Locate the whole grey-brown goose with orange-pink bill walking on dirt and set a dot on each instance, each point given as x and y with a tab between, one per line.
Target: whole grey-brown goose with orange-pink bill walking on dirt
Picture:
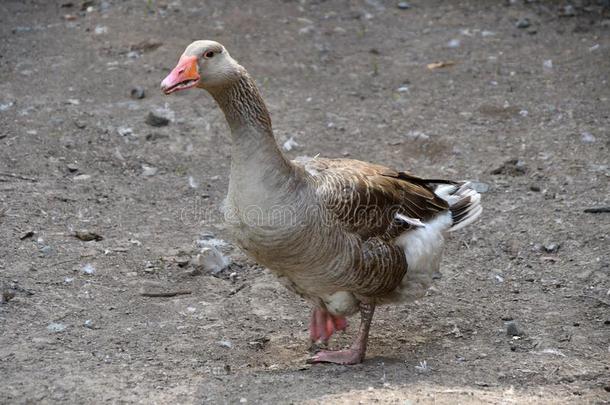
345	235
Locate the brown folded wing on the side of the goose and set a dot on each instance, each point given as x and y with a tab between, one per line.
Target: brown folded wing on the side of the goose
364	198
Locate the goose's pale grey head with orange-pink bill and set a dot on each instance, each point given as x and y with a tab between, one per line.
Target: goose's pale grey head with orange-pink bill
203	64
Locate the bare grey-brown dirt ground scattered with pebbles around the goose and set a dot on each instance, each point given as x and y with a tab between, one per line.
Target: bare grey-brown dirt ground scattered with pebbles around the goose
524	110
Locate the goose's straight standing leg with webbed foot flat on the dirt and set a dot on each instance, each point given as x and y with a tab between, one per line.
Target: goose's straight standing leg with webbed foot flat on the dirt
355	354
